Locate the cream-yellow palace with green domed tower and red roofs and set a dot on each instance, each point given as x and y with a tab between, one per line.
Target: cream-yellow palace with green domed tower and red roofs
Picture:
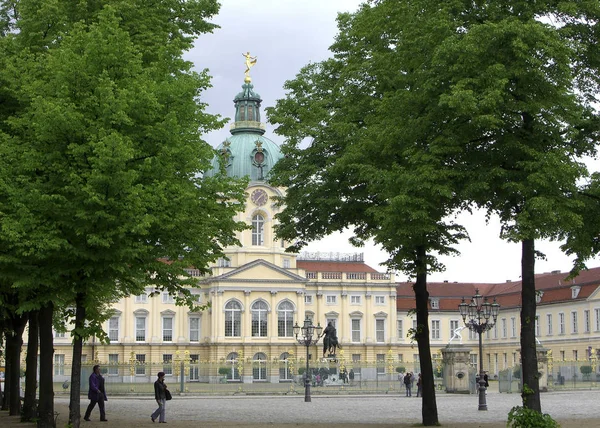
258	292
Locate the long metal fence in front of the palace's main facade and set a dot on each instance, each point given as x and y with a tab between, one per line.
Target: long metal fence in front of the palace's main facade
250	378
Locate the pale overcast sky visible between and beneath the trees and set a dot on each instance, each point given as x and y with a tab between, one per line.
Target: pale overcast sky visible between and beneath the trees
288	34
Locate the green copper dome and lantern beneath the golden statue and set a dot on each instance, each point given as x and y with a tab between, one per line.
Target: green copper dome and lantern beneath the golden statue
247	153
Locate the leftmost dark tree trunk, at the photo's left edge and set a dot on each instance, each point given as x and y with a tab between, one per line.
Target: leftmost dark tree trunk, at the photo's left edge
14	342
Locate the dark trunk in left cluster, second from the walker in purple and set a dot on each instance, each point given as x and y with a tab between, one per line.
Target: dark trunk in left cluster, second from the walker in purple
46	405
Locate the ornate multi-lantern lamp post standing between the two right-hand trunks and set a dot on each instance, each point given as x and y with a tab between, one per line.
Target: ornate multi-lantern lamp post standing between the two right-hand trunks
482	316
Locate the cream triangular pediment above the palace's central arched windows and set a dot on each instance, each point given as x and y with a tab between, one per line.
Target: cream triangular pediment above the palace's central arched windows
259	271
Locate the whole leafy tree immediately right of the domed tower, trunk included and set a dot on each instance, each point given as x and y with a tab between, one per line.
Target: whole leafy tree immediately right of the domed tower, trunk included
377	158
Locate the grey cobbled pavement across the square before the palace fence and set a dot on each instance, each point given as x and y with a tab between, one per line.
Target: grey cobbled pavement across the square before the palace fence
369	409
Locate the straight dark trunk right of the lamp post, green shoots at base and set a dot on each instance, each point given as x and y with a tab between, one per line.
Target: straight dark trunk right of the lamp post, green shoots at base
531	385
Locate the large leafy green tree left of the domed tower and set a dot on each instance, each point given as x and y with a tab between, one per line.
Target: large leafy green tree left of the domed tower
105	161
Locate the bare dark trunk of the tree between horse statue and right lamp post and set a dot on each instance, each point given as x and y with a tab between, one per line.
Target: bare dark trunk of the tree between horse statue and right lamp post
429	405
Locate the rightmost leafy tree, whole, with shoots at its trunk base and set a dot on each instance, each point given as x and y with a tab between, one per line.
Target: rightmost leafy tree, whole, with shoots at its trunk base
521	77
